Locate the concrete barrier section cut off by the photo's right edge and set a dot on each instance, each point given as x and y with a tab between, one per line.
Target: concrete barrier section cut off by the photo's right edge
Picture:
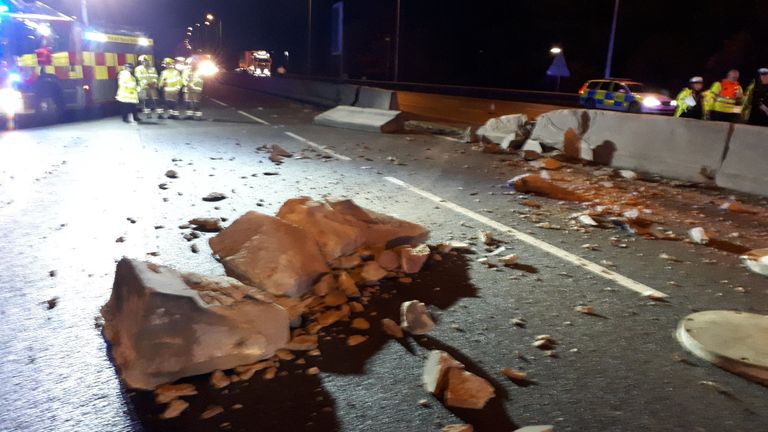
745	167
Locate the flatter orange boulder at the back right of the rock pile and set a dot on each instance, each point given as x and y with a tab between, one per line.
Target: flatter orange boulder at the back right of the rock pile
341	226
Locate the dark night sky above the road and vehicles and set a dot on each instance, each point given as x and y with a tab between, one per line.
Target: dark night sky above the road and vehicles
484	43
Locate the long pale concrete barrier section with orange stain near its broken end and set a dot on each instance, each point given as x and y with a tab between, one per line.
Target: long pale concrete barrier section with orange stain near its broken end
684	149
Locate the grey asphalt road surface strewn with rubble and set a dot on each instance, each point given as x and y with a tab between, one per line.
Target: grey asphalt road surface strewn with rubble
69	192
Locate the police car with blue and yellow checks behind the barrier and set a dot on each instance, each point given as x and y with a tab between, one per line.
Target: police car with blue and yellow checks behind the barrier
625	96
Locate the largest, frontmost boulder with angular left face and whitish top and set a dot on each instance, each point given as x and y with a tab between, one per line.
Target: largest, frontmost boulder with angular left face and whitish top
163	325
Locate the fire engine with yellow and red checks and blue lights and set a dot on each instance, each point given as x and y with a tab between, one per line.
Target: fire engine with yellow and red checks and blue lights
50	63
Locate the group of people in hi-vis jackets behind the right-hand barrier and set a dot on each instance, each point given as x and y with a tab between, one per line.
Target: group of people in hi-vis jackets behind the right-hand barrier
726	100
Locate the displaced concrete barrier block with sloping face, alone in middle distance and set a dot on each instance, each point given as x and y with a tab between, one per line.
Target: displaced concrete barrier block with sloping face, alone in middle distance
365	119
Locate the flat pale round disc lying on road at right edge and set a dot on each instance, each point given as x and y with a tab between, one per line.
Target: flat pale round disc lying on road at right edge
734	341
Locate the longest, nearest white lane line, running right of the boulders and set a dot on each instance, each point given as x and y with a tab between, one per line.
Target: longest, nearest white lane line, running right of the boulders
533	241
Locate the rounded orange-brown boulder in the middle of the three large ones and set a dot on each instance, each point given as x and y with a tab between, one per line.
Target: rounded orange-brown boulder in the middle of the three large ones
270	254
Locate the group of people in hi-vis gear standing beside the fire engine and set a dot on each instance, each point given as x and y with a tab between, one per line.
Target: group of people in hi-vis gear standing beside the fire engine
177	88
